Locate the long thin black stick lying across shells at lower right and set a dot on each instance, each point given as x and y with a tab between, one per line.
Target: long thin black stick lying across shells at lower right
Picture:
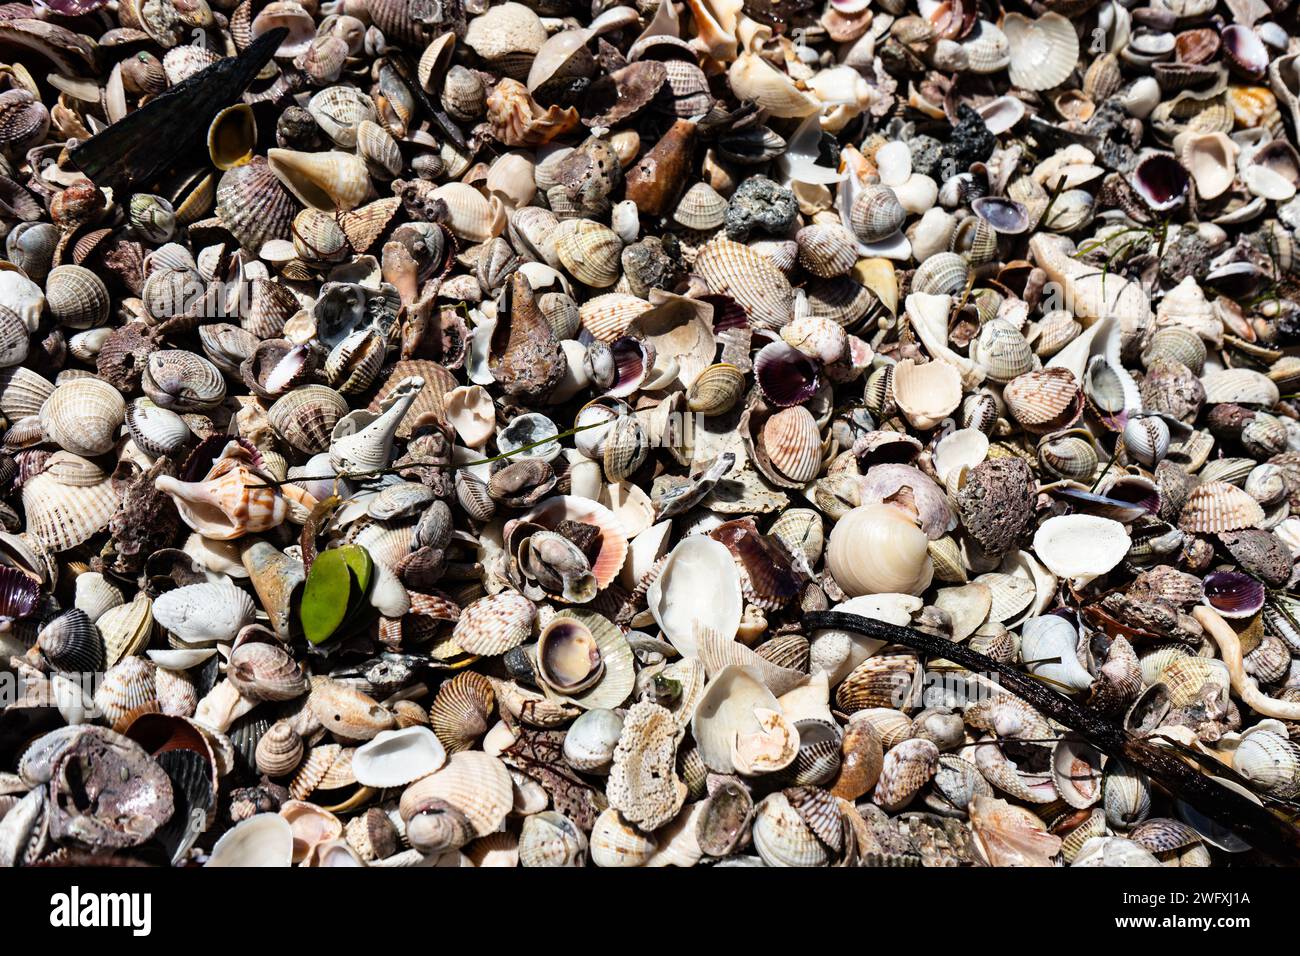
1264	830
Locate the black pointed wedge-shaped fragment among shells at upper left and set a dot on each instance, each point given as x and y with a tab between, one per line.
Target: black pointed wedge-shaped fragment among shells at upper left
137	150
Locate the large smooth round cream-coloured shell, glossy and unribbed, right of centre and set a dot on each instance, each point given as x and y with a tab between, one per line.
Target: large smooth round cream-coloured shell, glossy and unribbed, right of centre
876	550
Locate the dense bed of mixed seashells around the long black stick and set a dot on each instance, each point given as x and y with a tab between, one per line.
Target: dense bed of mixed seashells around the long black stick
427	426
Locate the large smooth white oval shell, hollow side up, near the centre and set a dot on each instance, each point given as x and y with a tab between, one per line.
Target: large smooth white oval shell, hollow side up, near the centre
699	587
